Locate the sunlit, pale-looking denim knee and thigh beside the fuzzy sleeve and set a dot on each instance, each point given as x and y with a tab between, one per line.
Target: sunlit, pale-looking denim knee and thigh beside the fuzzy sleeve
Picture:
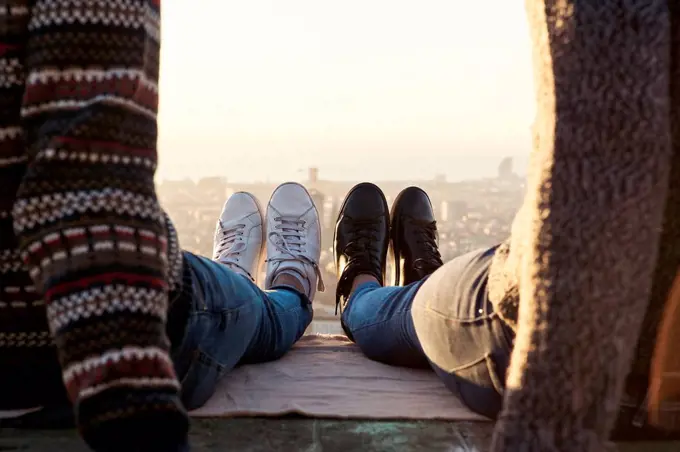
467	343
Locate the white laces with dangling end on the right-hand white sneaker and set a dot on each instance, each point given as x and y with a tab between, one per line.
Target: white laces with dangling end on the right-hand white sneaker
289	242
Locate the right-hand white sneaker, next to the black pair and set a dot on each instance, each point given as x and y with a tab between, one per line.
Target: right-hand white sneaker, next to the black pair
294	238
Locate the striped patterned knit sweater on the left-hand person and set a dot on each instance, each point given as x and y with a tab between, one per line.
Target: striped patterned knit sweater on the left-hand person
83	242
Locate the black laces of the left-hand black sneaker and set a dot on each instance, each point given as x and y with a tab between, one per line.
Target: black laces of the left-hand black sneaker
362	248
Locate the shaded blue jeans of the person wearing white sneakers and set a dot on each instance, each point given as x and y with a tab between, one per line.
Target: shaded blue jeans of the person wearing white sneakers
231	321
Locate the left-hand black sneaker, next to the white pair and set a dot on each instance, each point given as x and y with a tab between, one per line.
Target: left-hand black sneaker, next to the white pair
361	239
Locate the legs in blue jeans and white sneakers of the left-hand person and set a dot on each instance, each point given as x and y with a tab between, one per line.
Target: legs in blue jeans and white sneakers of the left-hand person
220	317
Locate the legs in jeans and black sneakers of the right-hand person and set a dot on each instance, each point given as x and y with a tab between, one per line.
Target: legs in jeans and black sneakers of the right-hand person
441	317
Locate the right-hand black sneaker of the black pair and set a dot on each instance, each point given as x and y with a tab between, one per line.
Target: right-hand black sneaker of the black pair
414	237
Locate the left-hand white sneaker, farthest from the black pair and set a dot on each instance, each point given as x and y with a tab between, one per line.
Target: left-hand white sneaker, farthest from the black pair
239	235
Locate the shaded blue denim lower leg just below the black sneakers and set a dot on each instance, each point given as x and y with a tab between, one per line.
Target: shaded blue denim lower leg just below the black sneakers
379	321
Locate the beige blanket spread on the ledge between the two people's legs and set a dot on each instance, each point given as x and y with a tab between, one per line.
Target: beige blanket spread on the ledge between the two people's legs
327	376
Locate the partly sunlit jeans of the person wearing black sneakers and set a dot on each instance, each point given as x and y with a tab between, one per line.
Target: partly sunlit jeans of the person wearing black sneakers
445	321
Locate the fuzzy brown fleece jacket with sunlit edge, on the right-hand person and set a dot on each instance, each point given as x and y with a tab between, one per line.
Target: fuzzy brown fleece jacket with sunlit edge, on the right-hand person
583	261
